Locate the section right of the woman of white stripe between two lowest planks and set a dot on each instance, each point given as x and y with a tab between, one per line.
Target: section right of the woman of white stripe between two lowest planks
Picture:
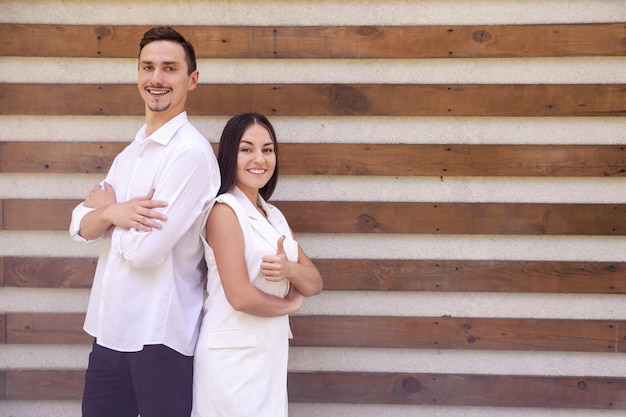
484	362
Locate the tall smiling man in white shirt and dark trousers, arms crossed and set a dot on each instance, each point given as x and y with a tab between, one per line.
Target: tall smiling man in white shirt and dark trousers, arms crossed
146	300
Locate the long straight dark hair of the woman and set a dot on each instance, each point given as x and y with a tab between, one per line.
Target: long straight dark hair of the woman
228	151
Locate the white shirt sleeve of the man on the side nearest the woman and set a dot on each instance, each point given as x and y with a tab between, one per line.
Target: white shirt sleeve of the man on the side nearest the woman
187	182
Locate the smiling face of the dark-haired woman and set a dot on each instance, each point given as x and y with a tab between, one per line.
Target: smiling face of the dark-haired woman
256	159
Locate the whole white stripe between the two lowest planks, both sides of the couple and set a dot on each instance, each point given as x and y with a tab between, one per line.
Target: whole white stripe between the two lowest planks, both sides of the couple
303	359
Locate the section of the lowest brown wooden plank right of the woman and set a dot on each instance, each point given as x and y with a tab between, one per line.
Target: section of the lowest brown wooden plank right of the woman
458	390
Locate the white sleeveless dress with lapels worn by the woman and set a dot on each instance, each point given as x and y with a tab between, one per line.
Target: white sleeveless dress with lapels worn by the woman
240	367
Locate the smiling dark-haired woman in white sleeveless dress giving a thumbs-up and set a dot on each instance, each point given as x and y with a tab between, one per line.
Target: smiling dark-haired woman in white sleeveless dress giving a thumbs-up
257	275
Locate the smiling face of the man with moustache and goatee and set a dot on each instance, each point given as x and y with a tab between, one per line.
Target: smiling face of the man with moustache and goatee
163	79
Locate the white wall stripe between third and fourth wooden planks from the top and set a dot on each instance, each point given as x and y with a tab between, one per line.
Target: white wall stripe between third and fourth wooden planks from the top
377	189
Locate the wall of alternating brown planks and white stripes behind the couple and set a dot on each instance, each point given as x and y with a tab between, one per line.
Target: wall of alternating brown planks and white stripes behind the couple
455	169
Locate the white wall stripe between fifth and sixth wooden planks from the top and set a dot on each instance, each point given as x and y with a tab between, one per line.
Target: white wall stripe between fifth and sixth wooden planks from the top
376	303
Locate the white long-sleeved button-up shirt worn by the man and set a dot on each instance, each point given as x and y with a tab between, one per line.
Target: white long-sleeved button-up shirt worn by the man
147	287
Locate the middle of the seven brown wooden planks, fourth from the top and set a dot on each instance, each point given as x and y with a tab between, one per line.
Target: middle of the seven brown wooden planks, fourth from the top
387	217
